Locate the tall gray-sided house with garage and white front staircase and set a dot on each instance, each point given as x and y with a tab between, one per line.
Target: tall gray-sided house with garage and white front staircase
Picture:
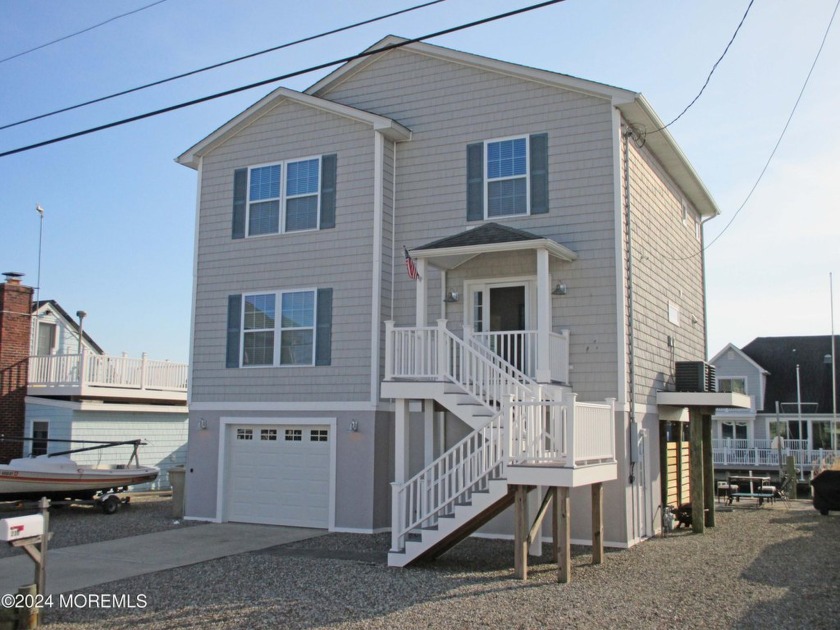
430	282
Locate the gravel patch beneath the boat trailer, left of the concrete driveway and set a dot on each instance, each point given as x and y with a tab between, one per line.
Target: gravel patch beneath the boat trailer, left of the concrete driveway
81	524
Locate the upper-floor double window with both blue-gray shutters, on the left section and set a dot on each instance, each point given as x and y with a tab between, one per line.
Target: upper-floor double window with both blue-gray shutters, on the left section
289	196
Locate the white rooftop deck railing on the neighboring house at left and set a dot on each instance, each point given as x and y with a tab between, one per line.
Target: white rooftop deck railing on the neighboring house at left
103	371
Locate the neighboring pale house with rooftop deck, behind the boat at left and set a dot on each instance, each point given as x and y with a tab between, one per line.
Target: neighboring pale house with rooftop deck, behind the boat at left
94	396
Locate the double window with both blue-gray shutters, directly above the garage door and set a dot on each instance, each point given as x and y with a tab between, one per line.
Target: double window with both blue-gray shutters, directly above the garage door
280	328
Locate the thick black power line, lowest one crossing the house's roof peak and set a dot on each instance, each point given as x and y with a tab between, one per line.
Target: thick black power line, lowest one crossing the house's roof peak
250	86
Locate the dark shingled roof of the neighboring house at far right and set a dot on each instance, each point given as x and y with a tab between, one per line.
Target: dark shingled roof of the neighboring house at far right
777	355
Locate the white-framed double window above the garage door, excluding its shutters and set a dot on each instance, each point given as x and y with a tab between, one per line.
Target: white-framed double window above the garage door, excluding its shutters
287	340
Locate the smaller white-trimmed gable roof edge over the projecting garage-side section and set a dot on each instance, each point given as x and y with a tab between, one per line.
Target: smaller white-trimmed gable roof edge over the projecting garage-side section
389	128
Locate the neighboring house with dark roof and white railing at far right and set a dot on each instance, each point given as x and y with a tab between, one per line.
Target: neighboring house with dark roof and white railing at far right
789	381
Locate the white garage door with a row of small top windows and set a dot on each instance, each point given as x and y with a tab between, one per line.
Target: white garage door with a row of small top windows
279	475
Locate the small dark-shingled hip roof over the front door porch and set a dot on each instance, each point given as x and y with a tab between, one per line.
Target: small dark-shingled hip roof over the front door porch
453	251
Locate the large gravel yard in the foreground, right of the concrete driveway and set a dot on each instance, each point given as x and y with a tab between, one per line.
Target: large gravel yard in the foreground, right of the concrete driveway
770	567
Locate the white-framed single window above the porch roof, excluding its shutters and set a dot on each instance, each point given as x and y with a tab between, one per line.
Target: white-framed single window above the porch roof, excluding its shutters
507	177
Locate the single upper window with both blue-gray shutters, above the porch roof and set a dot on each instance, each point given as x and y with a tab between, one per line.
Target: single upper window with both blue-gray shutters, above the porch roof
507	177
